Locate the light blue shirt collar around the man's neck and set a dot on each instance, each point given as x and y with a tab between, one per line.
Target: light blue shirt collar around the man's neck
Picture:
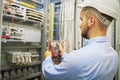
96	40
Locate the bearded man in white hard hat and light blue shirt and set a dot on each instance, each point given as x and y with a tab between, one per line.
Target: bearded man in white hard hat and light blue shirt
97	60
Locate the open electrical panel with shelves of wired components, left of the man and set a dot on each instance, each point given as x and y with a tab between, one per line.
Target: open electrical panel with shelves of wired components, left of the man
21	40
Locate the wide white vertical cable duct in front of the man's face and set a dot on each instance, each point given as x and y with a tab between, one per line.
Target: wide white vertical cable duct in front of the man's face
67	24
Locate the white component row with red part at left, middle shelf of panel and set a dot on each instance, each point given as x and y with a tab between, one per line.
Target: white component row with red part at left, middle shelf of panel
20	34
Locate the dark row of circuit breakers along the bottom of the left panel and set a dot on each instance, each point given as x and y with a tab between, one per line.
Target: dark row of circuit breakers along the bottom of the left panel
18	73
